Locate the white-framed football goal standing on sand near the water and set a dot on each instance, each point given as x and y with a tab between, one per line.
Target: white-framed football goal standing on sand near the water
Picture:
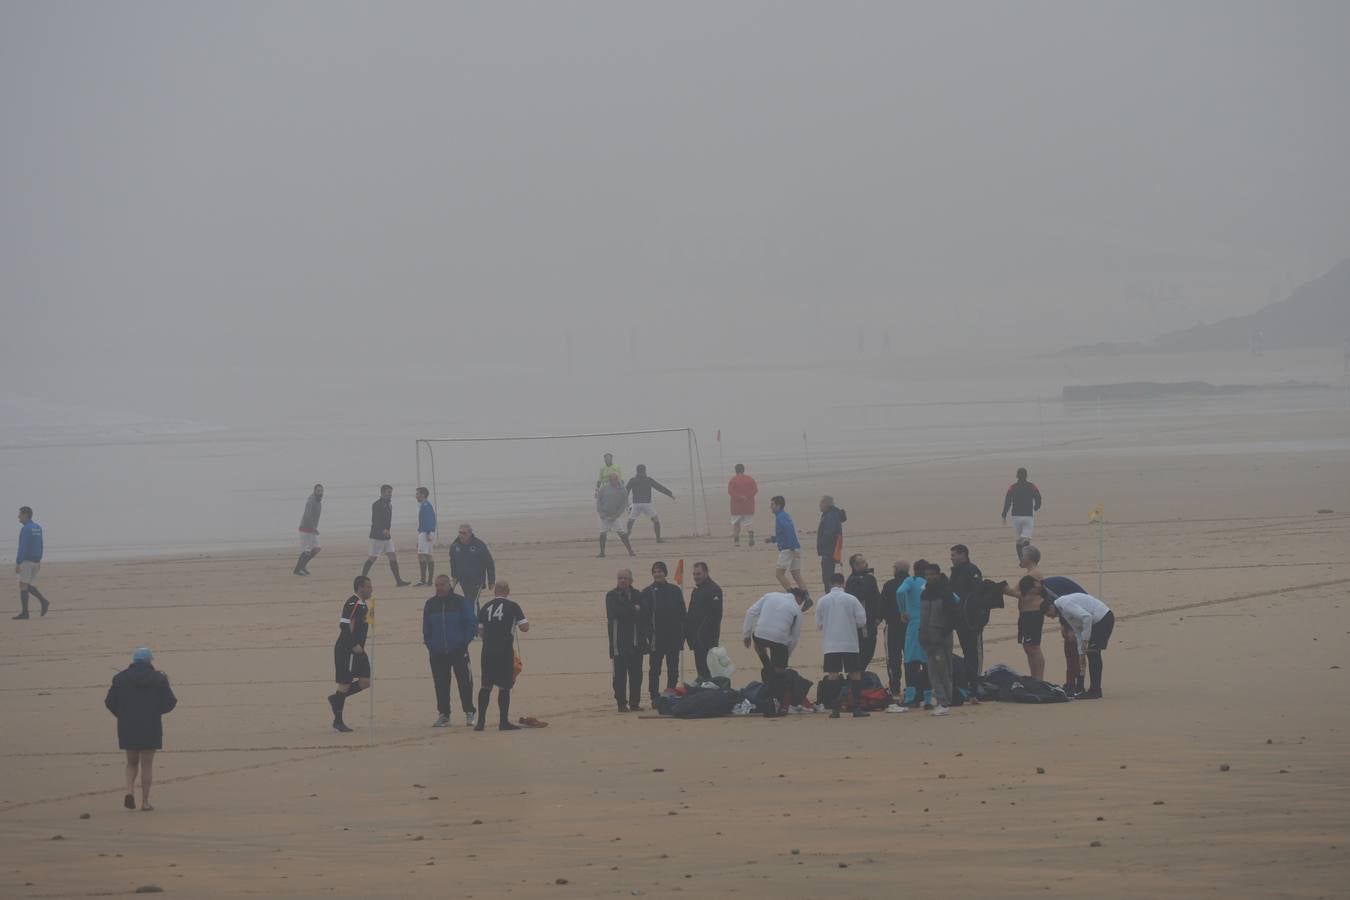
545	484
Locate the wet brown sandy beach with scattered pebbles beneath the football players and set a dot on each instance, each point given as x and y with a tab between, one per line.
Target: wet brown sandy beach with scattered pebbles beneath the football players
1232	650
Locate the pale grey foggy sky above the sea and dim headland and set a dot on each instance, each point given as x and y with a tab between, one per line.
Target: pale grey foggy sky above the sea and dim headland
241	184
